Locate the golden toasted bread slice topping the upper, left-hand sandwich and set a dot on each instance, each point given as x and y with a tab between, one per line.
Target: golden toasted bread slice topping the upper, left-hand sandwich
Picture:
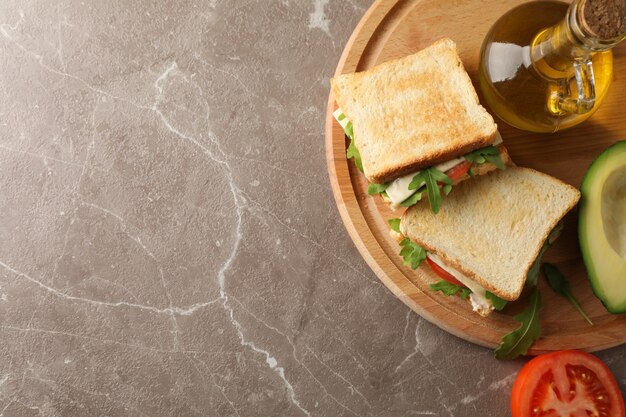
413	112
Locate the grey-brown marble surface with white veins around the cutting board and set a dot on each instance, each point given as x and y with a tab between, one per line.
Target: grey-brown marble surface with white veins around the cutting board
169	242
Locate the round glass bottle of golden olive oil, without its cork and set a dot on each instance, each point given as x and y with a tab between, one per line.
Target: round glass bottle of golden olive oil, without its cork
540	68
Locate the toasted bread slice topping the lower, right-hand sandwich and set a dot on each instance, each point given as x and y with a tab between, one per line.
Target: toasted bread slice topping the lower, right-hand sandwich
493	228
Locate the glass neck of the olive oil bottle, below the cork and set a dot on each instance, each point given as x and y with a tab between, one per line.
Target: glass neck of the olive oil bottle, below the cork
555	49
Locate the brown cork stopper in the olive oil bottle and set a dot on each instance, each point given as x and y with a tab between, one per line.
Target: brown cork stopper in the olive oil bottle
604	19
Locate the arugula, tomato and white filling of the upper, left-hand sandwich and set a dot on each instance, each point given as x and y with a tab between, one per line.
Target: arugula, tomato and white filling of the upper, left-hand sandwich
408	189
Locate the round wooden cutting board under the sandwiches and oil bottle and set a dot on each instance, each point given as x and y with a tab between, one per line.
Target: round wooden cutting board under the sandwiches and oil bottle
396	28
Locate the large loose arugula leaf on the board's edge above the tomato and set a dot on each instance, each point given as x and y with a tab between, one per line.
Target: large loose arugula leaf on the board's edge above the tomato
520	340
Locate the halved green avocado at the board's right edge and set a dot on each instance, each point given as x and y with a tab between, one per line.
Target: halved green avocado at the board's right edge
602	226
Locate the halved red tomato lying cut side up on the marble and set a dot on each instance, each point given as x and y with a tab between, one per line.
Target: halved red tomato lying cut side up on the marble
568	383
